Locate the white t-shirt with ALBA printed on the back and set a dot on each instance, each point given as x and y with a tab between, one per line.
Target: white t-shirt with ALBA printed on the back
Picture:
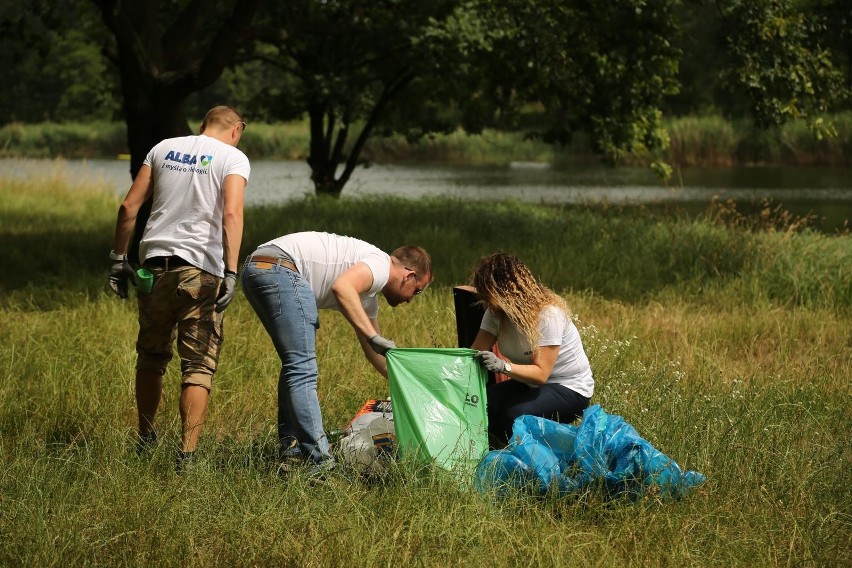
186	214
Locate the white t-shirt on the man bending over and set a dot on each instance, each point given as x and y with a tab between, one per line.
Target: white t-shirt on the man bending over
322	257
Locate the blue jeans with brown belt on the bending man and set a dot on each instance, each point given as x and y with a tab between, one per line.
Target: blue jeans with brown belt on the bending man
285	304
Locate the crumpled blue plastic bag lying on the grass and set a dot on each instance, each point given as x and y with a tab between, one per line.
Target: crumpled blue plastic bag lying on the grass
604	448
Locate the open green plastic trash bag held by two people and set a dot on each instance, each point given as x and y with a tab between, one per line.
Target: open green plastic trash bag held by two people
438	398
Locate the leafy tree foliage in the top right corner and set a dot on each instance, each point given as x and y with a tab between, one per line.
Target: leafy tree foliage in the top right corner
766	60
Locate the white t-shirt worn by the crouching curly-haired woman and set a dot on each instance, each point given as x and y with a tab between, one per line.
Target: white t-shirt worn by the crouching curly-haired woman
571	368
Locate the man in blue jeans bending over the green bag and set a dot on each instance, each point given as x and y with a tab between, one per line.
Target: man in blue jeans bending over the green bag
287	280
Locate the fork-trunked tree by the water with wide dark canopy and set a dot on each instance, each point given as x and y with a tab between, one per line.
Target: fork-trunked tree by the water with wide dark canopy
423	67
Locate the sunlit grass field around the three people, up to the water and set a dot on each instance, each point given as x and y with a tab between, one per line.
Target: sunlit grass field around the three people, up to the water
727	345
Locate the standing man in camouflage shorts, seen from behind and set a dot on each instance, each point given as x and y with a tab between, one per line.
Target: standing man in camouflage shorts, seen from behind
191	245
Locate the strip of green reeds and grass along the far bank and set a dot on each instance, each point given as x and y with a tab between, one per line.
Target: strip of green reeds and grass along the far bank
695	141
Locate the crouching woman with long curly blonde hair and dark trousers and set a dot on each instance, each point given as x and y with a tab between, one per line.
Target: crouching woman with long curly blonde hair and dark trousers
531	325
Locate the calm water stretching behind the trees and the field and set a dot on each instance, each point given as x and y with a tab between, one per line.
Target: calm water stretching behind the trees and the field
825	193
